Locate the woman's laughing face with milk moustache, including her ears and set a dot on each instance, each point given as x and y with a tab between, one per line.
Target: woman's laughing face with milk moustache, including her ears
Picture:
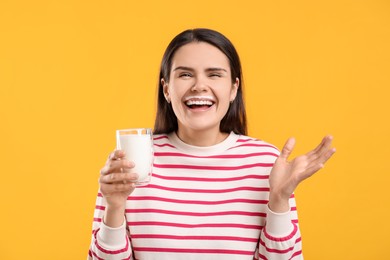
200	88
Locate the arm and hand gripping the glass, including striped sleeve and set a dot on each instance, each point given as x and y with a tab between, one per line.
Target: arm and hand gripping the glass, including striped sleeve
109	237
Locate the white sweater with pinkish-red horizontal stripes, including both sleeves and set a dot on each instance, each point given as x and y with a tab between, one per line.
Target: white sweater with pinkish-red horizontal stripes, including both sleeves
202	203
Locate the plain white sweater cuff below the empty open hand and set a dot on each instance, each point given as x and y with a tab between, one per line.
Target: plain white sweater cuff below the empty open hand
279	224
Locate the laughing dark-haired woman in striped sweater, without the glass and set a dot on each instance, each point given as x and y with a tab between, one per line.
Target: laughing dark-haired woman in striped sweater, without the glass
215	192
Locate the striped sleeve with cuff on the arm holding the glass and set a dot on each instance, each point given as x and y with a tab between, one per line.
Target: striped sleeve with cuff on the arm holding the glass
106	242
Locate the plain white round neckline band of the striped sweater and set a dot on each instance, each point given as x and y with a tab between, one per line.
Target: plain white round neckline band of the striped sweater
203	150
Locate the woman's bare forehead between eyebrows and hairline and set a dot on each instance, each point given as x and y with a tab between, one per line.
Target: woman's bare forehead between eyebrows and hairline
200	54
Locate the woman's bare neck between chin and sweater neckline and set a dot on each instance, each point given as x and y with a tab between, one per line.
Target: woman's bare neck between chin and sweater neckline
201	137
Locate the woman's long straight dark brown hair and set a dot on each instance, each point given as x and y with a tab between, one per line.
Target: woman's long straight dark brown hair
235	118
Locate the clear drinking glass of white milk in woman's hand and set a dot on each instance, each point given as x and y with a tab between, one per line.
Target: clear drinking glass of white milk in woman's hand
137	143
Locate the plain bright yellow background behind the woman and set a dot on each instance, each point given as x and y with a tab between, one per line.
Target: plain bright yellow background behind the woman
72	72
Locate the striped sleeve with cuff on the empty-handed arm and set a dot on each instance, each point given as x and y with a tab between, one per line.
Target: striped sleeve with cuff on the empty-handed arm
281	238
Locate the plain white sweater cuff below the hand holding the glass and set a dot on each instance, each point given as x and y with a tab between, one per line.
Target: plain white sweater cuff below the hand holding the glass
112	237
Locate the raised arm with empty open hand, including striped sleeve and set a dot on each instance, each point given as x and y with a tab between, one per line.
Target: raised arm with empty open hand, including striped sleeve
280	238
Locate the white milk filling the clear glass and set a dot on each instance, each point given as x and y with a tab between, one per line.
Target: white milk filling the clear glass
138	149
